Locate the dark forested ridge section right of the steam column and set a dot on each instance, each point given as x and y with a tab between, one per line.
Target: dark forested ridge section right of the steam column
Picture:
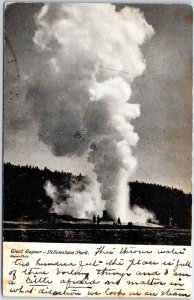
168	204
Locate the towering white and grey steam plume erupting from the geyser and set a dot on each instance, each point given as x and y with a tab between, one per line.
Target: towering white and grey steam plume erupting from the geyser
80	99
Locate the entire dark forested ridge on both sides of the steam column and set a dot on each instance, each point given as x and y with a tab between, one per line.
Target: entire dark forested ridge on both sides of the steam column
25	196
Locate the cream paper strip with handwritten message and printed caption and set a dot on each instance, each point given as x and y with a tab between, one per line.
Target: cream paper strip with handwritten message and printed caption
96	271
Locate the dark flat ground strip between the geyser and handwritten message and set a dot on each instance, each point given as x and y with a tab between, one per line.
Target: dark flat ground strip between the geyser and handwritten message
90	233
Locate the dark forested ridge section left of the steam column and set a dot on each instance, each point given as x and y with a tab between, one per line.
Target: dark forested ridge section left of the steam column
24	193
